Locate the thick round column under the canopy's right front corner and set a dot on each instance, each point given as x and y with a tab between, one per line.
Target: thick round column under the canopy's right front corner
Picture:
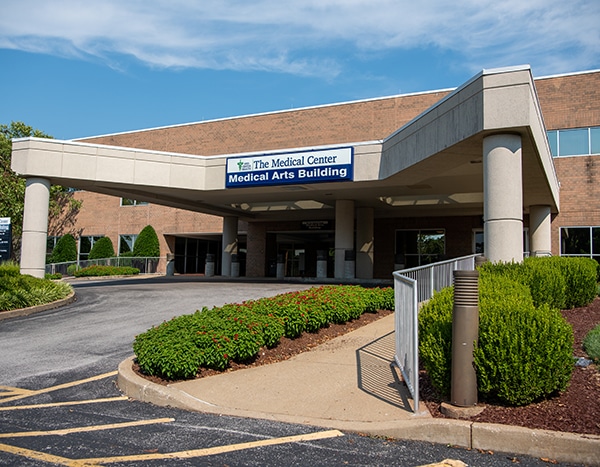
503	198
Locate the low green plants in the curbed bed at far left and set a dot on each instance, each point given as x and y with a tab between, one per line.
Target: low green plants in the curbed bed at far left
22	291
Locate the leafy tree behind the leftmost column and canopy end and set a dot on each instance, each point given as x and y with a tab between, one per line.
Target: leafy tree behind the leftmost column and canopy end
12	186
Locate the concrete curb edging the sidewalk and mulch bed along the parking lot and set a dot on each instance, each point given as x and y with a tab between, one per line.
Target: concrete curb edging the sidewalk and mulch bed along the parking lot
563	447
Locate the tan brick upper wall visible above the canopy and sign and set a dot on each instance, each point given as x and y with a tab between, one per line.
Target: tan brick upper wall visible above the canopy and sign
334	124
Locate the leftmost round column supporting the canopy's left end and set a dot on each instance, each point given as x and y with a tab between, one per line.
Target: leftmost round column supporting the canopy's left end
35	227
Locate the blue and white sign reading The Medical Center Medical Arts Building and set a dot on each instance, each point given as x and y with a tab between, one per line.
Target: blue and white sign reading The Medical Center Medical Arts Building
325	165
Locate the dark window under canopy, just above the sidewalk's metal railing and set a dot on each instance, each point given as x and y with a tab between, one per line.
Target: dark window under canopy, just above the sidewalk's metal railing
419	247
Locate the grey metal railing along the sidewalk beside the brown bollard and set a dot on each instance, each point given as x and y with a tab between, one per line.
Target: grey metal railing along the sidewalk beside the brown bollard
412	287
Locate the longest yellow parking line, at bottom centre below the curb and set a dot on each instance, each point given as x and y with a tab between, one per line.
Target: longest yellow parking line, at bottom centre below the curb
215	450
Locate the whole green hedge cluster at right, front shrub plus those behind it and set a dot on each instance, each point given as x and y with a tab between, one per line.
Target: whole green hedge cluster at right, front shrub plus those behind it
525	346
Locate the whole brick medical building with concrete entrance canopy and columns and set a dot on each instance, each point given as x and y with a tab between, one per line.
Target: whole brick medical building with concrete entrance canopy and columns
505	164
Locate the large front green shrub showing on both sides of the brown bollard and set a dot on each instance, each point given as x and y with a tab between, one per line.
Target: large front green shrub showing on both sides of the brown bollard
524	352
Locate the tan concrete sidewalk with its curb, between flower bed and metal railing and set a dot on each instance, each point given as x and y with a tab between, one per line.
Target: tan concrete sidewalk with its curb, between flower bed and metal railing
349	383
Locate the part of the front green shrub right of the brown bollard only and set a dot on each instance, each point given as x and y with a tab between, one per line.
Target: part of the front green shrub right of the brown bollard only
524	353
